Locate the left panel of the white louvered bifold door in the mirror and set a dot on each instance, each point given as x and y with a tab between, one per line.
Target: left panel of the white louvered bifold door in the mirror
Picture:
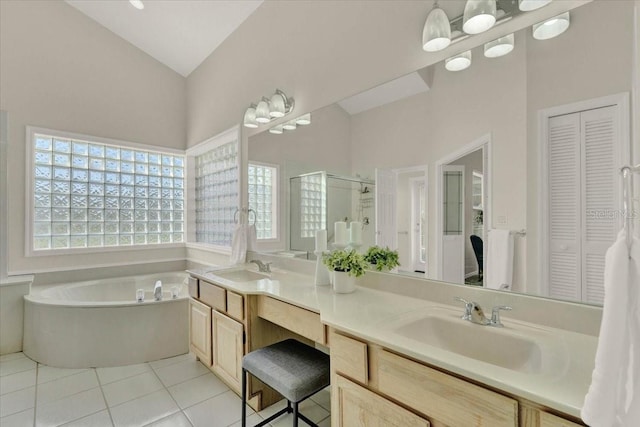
564	207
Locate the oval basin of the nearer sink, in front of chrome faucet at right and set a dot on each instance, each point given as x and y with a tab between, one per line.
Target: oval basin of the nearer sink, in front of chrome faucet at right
496	346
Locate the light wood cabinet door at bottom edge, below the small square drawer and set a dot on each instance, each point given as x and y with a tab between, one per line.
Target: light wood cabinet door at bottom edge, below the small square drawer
355	406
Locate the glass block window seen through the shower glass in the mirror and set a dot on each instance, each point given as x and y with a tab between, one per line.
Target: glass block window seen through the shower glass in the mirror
313	204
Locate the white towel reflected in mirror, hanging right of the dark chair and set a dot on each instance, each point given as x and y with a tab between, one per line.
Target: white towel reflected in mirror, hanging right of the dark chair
498	272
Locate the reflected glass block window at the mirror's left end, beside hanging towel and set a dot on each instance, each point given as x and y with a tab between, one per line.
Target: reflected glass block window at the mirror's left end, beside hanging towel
263	193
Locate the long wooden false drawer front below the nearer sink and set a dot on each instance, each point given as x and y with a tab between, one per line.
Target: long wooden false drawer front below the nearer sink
441	397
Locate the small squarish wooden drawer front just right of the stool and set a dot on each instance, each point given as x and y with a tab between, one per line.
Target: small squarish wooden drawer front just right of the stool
349	357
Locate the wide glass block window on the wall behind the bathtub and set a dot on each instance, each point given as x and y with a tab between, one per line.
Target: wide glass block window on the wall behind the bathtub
88	195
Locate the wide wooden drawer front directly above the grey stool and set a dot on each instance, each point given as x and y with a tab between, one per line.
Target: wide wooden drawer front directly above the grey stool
296	319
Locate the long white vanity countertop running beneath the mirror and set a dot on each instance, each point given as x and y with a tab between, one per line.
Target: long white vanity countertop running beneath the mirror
375	316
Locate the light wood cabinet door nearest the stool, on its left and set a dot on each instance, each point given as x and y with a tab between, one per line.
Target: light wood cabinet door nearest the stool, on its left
227	349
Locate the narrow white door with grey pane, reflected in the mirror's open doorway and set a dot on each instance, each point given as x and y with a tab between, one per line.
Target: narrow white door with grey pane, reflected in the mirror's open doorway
453	224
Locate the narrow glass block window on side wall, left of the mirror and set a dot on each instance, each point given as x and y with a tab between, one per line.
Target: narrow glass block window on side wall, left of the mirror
216	194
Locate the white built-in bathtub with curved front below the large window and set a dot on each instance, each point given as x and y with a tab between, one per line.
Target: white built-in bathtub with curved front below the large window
99	323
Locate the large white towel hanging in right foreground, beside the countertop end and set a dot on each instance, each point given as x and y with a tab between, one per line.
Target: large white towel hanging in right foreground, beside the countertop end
613	399
